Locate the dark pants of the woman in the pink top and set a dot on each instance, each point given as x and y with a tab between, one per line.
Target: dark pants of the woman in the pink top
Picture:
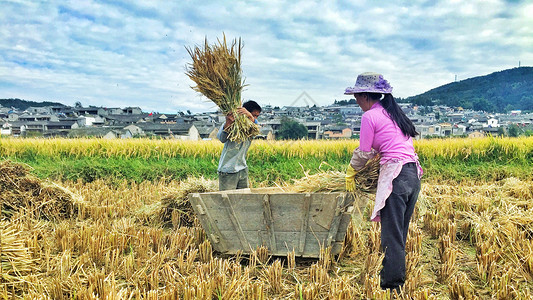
395	217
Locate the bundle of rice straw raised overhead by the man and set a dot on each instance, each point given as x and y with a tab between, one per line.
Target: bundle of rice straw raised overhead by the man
216	70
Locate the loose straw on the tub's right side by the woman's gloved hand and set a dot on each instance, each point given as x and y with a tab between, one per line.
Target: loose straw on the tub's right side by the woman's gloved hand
366	180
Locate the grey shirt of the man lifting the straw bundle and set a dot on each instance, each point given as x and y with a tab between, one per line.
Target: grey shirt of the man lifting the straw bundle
233	157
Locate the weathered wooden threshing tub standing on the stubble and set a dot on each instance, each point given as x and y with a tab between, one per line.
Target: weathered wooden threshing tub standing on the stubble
242	220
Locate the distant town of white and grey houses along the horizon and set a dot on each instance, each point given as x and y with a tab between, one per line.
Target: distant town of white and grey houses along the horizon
334	121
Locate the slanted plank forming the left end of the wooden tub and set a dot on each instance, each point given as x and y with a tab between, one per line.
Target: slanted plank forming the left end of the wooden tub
210	227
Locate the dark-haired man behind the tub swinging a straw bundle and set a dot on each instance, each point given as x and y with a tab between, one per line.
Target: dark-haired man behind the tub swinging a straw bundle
232	168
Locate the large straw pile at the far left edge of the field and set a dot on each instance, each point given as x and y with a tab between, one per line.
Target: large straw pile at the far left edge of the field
24	193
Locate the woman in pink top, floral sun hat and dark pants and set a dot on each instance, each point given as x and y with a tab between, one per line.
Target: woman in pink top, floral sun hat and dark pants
385	129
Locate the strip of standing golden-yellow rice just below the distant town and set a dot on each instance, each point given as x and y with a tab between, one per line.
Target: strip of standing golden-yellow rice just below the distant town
452	149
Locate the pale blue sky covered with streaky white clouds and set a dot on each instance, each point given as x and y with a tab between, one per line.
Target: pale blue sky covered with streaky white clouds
133	53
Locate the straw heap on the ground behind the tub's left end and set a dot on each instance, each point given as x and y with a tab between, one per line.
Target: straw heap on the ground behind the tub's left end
176	208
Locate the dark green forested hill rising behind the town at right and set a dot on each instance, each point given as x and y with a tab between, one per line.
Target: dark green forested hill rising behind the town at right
497	92
